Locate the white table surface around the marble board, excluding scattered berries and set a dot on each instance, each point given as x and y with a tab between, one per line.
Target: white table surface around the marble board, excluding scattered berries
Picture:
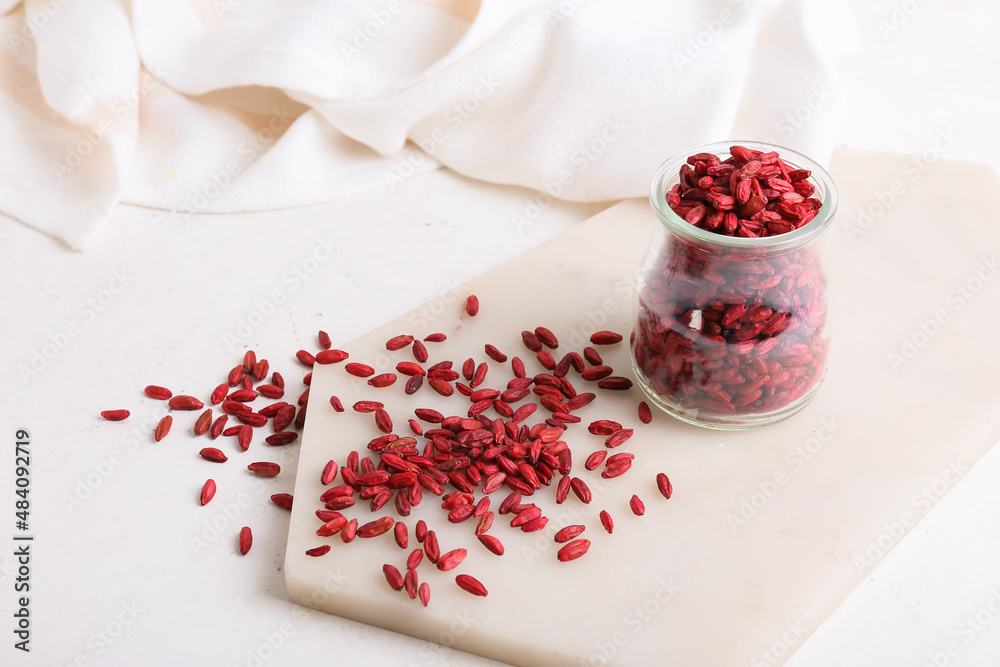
115	579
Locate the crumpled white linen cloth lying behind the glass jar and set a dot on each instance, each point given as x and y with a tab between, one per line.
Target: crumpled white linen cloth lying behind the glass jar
238	105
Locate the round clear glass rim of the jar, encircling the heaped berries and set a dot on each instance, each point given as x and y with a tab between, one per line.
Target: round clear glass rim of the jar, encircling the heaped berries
669	173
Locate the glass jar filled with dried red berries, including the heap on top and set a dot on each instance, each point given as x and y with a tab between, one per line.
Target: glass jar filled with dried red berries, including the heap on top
730	327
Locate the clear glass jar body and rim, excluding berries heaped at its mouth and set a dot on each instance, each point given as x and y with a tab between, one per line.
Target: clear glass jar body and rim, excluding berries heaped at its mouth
730	330
